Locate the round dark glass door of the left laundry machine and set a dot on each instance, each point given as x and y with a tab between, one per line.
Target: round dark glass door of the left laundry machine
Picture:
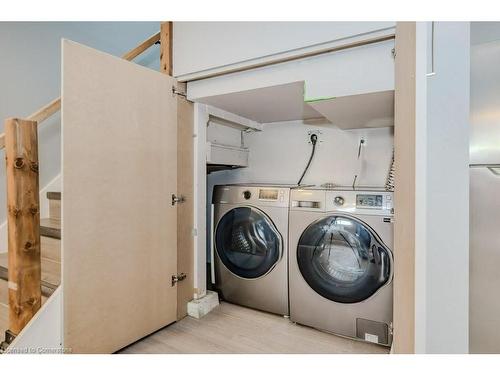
247	242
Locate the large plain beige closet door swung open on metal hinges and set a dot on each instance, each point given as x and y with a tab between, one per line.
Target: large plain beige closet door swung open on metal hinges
119	171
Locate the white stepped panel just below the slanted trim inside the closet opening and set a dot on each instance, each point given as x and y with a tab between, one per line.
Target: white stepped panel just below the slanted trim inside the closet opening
358	70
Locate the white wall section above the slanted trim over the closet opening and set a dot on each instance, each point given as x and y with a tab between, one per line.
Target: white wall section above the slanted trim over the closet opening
201	47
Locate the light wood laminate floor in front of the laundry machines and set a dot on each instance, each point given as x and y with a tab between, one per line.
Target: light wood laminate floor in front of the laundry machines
235	329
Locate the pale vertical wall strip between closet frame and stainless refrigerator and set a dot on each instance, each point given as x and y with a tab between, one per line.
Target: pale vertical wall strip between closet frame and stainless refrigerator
447	178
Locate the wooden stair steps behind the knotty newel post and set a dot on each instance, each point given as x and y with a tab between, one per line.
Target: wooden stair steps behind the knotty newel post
50	236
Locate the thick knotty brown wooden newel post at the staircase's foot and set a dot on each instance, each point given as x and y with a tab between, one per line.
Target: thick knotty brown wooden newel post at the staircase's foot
23	221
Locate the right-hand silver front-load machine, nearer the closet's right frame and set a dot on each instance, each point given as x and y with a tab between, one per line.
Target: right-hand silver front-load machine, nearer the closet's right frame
341	262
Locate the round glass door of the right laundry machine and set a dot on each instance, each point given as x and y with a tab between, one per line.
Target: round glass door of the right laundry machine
343	260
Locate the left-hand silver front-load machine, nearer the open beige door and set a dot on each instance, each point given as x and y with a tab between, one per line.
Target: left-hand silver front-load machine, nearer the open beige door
249	245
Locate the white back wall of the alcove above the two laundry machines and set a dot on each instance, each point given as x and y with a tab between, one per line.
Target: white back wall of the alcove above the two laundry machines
280	152
